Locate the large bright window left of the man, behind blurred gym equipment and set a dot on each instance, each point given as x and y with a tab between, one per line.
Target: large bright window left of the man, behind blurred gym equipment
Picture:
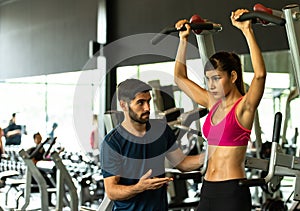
41	101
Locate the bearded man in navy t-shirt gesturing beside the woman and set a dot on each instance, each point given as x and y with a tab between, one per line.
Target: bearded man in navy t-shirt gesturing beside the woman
133	154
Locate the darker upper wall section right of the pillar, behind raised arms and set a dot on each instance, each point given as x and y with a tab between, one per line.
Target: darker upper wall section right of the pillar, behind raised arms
130	17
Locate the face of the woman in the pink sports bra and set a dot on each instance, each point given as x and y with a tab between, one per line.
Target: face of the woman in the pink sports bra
218	82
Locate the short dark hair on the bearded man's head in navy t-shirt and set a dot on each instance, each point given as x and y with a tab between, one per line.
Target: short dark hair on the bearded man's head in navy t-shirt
128	89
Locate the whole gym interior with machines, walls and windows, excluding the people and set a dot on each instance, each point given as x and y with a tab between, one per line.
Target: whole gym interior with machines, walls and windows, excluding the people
61	62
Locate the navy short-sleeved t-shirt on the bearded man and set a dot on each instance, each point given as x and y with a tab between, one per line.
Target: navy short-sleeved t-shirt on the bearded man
131	157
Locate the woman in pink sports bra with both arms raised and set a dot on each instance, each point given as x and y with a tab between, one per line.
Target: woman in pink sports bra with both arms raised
228	125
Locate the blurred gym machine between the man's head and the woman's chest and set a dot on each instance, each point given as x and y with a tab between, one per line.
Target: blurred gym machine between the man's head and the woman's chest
177	118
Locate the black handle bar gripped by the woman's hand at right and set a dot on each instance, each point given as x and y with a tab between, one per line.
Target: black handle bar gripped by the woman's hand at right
262	16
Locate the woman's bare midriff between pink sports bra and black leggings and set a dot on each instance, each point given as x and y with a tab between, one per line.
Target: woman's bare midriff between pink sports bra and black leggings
225	163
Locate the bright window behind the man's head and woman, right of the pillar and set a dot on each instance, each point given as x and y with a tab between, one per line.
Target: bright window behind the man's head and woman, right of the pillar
274	99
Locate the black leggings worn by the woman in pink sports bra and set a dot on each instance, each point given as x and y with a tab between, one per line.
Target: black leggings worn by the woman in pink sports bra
224	196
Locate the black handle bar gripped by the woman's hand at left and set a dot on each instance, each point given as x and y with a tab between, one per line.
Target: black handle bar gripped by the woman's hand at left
194	26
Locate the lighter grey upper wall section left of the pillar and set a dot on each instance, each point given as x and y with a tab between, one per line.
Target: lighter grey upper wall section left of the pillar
42	37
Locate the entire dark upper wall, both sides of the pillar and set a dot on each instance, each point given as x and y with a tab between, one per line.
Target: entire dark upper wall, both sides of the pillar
51	36
